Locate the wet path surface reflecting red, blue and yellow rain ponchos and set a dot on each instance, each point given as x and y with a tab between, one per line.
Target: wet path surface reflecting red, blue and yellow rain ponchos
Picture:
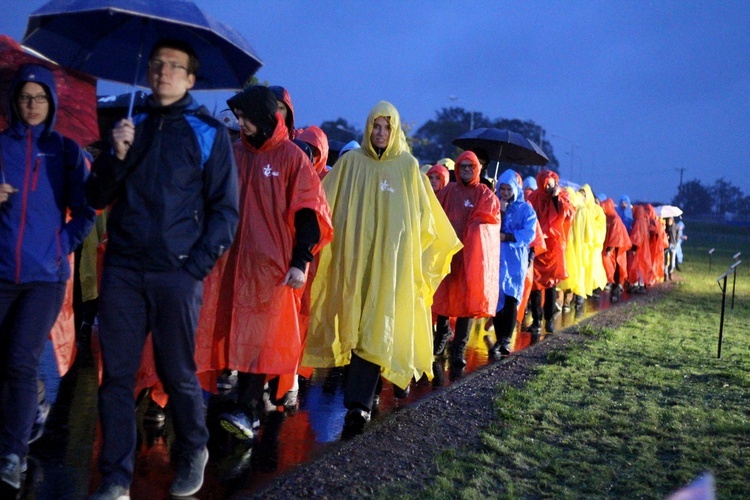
62	463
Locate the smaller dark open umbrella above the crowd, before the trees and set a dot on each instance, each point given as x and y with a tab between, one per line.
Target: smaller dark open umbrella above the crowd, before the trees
502	145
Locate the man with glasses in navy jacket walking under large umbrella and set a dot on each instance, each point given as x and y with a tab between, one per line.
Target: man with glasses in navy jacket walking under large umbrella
171	179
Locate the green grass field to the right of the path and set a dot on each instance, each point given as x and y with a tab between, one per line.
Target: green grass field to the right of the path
637	412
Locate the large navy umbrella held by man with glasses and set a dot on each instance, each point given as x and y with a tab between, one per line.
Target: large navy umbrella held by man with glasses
108	38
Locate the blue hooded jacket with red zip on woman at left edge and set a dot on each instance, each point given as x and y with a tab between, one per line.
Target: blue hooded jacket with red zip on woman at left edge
49	172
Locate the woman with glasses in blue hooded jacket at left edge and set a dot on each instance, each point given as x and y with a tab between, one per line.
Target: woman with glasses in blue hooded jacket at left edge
42	179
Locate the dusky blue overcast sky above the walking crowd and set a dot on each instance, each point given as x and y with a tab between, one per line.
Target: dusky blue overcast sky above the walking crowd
635	90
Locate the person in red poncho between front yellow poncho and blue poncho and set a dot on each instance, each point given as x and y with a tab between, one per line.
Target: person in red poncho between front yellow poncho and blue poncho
471	288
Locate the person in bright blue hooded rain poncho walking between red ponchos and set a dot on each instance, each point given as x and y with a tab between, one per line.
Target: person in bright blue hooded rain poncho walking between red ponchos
517	231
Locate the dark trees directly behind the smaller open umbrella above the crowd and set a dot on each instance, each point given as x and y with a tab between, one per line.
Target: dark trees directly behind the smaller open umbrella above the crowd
432	141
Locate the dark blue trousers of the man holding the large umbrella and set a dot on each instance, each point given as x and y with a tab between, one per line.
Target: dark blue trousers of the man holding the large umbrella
131	304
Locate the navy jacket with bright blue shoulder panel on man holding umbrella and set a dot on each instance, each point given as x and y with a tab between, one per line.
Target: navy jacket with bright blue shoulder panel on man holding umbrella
174	197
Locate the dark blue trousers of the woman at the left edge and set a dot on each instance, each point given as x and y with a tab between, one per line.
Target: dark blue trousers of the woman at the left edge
27	313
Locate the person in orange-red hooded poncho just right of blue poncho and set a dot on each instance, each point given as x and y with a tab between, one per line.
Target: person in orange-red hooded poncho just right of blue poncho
555	212
